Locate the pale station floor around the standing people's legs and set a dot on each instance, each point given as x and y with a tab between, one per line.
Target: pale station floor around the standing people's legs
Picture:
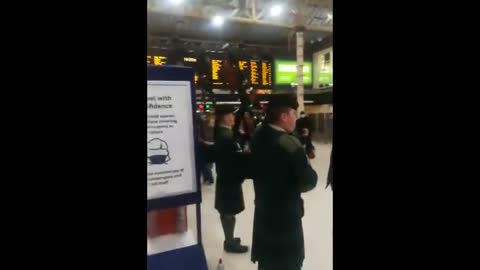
317	223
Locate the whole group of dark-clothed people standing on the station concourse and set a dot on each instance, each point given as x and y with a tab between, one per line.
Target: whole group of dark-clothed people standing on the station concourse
275	153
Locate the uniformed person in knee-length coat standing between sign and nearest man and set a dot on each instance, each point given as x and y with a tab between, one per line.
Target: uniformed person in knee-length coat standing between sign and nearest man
229	166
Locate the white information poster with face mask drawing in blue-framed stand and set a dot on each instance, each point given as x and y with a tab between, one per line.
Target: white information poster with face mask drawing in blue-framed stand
170	142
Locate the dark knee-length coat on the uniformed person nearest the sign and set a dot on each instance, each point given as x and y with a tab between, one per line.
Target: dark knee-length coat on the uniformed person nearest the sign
229	163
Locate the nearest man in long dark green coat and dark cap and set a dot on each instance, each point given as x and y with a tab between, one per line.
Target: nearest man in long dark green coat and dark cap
282	172
